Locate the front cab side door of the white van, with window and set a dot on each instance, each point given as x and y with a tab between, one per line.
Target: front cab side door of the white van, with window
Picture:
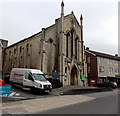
27	82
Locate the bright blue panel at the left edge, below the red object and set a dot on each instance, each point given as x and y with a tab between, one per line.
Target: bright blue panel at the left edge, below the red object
5	90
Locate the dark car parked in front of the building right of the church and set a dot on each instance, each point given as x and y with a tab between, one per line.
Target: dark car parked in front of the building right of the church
107	84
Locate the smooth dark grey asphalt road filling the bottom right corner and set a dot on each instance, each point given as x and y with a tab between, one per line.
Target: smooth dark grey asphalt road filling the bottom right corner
101	105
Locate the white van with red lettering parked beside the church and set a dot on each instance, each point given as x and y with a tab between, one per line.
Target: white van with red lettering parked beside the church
30	78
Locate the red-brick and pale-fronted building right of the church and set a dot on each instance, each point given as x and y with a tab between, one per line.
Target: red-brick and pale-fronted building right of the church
102	65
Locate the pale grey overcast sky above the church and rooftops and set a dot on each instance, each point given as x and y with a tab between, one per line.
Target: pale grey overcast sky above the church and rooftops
19	20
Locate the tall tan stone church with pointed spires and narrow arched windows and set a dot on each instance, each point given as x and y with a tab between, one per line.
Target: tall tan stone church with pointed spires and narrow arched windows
58	48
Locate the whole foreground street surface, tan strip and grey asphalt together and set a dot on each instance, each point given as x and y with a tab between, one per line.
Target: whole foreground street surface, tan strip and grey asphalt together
101	102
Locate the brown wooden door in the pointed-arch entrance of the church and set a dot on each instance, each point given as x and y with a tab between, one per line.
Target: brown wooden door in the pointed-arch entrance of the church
74	79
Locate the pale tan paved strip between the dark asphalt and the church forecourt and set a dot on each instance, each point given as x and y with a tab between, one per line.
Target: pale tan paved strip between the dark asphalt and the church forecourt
42	104
